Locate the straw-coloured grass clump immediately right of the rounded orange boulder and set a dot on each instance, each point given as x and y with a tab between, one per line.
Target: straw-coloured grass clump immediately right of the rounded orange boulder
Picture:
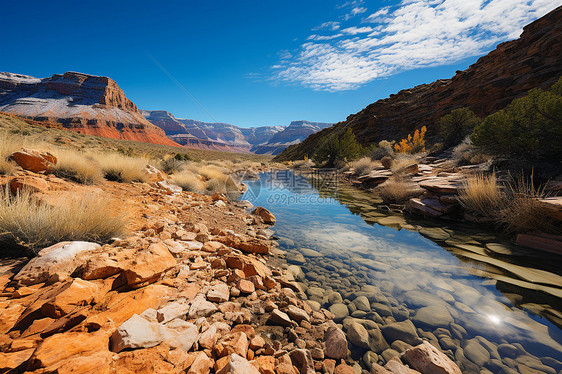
77	167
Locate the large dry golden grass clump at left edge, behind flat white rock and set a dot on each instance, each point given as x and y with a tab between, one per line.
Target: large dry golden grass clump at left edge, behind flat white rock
34	224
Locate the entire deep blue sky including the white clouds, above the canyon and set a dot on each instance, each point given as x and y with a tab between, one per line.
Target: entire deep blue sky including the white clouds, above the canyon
263	62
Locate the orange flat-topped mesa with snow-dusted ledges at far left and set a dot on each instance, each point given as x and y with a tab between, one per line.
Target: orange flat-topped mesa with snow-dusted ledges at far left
79	102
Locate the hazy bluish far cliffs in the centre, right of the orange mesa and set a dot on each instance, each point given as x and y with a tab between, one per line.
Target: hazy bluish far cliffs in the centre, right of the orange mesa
226	137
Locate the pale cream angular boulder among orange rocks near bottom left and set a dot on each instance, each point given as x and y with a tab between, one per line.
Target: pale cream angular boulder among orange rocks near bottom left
136	332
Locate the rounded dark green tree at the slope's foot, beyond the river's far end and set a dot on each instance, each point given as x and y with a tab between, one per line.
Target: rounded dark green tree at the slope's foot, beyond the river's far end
339	147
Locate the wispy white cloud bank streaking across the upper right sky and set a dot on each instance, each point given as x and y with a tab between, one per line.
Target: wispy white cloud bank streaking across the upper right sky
413	34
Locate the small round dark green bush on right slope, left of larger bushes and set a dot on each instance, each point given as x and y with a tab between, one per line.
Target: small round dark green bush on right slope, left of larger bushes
457	125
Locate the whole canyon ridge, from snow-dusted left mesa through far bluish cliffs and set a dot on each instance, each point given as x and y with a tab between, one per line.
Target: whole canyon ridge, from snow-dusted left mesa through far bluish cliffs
95	105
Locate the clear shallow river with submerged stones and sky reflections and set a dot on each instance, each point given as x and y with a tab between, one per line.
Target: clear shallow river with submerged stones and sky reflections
481	307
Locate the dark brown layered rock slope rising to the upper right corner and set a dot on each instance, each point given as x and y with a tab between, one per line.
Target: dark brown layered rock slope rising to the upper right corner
508	72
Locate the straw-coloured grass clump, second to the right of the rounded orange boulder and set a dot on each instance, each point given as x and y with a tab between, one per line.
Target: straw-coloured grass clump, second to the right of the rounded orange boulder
119	168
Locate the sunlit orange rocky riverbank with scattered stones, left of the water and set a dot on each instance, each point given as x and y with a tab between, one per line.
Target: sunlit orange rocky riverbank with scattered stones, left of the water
196	287
